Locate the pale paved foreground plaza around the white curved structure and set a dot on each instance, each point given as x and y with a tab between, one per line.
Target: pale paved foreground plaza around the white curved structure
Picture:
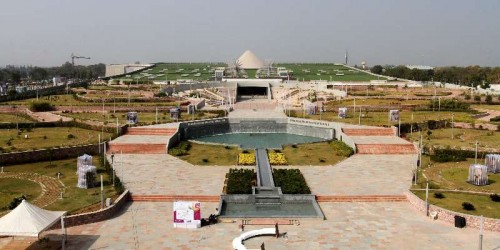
383	225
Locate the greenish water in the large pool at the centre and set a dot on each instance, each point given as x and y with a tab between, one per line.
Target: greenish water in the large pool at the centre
259	140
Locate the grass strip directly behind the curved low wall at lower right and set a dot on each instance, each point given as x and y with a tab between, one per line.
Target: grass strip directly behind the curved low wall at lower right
453	201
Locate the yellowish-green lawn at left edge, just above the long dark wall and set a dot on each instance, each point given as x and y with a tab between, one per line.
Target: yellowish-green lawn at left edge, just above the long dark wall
39	138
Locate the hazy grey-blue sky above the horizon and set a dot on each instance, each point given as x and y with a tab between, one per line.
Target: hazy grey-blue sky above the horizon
430	32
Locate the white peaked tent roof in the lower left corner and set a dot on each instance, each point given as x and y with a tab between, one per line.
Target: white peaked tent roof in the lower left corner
28	220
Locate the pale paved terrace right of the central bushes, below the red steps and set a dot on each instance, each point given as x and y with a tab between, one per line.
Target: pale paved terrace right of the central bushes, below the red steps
361	175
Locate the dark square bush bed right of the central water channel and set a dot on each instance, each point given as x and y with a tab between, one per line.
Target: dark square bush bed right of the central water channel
291	181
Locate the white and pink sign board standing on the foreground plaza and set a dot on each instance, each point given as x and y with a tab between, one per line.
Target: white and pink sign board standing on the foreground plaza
187	214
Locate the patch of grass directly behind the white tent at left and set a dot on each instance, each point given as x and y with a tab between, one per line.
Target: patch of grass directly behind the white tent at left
11	188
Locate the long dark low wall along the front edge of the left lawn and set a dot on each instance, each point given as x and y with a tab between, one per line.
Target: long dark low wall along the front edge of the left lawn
48	154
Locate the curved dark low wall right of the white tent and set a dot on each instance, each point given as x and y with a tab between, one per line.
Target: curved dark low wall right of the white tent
104	214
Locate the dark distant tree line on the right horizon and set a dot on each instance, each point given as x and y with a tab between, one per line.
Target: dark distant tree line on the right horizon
469	76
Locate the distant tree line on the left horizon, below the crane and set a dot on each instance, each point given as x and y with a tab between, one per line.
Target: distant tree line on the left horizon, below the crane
15	74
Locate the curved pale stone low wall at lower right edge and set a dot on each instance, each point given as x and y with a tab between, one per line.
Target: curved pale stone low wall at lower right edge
449	216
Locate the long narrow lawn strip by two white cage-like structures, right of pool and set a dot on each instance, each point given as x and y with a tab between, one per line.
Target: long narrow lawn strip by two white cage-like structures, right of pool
382	118
